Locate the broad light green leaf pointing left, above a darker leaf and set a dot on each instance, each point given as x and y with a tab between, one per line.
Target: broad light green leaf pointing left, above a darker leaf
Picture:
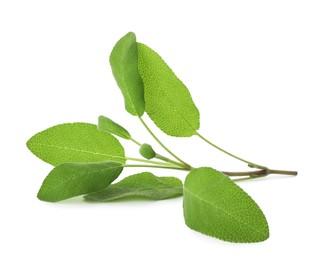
75	142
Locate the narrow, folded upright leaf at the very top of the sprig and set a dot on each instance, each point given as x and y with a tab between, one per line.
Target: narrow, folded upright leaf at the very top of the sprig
124	64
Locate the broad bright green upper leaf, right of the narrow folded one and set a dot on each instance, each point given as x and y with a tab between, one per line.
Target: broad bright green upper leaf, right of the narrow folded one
167	100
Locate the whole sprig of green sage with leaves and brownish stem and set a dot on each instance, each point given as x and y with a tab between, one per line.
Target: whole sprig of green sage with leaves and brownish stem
87	158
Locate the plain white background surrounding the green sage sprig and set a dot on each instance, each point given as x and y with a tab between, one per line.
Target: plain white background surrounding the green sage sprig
254	69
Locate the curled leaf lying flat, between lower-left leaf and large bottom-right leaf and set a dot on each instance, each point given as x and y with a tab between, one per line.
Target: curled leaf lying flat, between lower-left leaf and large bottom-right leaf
144	185
